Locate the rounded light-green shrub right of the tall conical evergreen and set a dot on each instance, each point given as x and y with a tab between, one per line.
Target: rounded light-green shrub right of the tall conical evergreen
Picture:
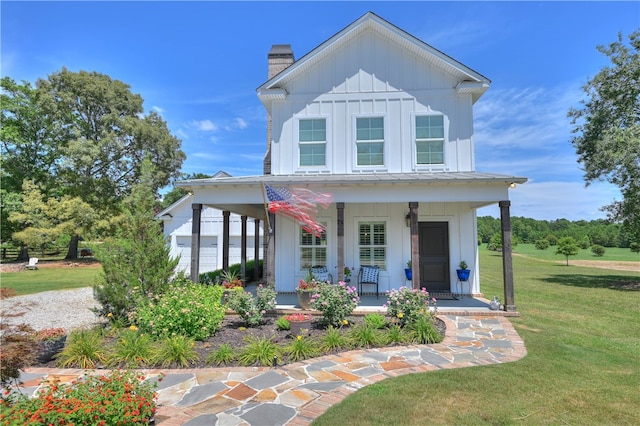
187	309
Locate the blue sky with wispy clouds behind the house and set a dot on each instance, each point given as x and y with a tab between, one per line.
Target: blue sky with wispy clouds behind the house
198	64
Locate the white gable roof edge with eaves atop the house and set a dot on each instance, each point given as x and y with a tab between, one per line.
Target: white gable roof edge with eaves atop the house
470	80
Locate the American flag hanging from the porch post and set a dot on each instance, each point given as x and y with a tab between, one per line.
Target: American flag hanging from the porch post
299	204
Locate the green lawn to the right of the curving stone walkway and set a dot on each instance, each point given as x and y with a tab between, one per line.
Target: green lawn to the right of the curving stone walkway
580	329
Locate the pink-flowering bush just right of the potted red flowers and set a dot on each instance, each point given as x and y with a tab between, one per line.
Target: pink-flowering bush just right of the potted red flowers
336	302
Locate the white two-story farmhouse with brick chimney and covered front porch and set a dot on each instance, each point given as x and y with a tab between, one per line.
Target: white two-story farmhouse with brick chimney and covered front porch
383	123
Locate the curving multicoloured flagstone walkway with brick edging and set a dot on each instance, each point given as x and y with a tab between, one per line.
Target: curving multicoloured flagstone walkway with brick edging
295	394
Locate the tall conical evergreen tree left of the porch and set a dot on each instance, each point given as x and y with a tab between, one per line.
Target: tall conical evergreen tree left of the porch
137	263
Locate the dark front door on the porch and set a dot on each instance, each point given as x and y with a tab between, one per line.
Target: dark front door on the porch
434	256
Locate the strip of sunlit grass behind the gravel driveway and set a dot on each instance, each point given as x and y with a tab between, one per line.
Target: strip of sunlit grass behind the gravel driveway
49	278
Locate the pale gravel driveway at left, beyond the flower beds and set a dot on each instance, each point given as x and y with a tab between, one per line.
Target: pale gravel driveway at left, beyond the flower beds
68	309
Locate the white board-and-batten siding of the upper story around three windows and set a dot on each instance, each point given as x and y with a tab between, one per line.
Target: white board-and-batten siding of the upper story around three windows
371	77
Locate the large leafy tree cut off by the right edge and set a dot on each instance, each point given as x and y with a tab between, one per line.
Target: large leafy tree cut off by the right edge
607	129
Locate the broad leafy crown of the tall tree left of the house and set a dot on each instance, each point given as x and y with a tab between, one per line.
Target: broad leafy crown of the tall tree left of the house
110	137
